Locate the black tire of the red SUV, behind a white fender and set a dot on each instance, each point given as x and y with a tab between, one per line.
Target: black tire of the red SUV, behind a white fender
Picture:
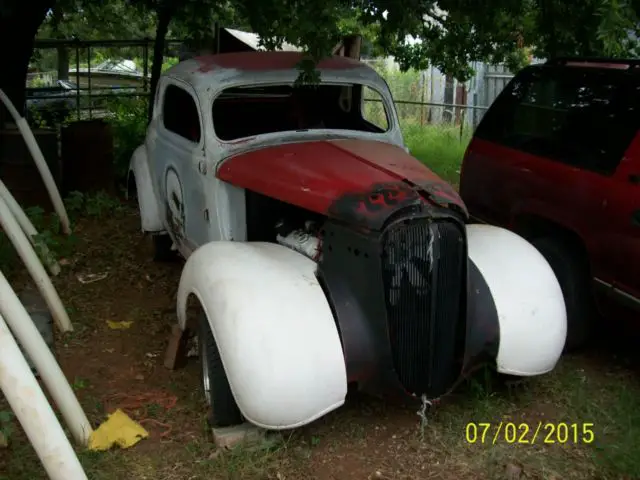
571	269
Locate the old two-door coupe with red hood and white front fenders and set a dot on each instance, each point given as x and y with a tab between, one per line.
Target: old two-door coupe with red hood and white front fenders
322	254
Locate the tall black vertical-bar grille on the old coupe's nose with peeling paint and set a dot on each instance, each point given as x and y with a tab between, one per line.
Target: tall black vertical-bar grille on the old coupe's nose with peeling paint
423	274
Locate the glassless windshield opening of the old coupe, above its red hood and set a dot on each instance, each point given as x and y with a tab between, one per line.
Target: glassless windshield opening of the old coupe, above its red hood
242	112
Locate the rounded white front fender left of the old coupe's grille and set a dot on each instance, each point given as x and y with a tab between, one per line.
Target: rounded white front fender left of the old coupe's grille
275	331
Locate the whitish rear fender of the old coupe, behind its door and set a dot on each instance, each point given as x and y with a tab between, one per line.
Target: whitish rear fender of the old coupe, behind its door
147	202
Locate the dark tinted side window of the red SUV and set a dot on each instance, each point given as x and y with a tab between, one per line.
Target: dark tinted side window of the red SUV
584	117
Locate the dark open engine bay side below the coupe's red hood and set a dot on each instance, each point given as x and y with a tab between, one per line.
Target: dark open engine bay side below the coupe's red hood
275	221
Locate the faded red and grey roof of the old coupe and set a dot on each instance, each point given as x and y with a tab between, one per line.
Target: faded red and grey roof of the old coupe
225	66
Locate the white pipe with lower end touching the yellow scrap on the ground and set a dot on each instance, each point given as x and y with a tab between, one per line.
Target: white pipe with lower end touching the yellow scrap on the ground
32	342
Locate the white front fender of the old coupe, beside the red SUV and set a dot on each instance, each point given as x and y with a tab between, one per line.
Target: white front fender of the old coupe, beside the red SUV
528	300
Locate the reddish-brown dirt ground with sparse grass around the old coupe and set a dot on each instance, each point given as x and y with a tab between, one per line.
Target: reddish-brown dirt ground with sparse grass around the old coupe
365	439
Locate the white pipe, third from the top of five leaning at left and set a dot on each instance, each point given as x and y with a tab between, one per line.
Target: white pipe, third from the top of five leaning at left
32	262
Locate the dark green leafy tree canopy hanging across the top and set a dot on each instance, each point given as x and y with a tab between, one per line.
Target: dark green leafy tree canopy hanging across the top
451	33
